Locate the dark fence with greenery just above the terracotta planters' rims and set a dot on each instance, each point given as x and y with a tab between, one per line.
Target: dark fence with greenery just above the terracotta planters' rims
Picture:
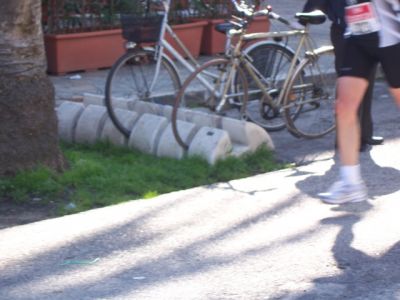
69	16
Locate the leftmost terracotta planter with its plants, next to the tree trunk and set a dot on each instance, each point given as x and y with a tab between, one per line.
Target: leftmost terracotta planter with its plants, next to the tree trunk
81	35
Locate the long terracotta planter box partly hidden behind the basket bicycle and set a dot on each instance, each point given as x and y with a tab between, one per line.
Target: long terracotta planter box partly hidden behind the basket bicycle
100	49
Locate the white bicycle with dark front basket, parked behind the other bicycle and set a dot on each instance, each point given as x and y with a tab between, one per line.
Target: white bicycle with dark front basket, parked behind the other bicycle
136	74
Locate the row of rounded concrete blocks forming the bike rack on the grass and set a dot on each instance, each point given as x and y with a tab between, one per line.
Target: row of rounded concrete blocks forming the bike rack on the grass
210	136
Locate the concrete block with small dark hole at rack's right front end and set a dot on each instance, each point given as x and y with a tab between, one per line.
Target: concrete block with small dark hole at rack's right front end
211	143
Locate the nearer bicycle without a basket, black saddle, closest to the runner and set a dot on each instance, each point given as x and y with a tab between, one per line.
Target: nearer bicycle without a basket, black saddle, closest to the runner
272	100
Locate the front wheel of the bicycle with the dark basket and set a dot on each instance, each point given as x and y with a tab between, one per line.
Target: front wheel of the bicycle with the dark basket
129	80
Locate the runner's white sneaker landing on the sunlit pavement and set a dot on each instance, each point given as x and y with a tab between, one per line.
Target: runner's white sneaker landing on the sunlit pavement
341	192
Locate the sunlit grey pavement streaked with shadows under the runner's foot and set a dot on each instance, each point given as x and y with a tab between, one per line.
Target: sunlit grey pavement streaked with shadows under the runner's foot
263	237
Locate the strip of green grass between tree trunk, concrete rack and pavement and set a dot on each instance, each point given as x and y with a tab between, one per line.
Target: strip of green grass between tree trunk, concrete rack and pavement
102	175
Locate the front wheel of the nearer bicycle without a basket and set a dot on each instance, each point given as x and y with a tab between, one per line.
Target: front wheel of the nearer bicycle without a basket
195	96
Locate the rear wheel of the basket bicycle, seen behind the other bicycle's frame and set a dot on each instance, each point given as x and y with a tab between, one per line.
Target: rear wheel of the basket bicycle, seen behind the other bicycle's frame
272	60
